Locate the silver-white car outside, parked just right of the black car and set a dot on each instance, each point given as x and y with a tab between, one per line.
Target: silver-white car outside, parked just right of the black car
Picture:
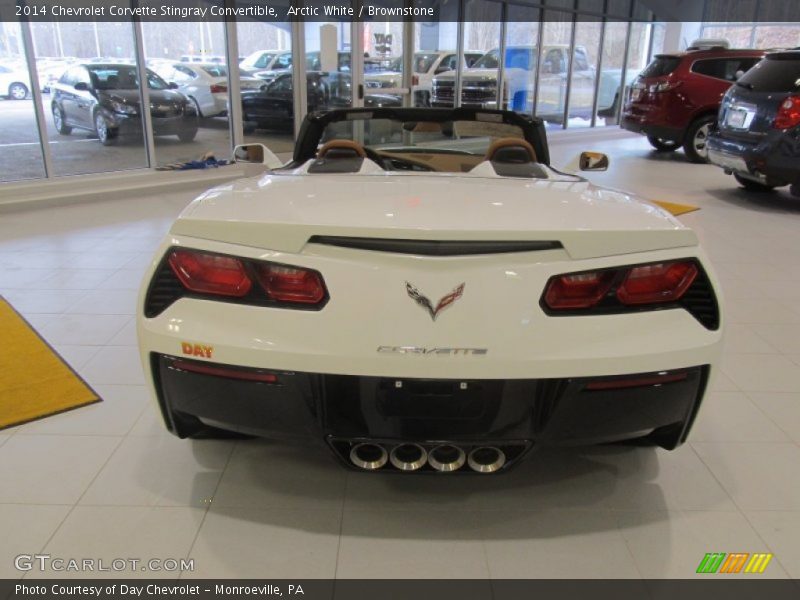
206	85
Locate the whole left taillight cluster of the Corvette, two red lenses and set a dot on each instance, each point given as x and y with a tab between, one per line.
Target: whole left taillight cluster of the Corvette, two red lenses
238	279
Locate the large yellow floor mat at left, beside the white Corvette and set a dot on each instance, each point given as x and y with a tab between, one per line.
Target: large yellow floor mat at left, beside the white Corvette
35	381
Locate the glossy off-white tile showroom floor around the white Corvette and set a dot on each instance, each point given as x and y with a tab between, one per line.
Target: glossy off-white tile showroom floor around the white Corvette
107	481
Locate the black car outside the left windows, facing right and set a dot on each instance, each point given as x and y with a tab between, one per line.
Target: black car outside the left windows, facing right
104	99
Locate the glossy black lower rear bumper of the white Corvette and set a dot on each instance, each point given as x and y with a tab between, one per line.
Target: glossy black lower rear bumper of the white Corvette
528	412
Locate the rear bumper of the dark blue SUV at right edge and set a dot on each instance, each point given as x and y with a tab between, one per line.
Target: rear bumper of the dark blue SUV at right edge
774	160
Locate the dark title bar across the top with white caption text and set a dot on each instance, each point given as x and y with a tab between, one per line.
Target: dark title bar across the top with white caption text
424	11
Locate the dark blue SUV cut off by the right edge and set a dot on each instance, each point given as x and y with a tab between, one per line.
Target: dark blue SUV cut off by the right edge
758	133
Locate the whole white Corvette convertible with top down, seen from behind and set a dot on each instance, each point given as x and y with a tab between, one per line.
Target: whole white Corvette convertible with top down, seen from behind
420	290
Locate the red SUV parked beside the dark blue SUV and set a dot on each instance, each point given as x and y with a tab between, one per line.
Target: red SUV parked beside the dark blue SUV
675	100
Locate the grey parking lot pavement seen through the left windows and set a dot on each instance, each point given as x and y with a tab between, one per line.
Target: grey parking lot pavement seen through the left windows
81	152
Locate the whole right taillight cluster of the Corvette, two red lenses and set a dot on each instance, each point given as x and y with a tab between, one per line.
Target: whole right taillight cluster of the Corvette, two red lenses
632	286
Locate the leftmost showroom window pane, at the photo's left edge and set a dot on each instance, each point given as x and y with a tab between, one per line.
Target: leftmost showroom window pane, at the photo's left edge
20	149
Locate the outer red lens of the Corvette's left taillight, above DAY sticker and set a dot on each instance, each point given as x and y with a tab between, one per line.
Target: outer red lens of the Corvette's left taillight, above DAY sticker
206	273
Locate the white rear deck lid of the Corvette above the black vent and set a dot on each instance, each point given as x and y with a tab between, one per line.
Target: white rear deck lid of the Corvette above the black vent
281	212
